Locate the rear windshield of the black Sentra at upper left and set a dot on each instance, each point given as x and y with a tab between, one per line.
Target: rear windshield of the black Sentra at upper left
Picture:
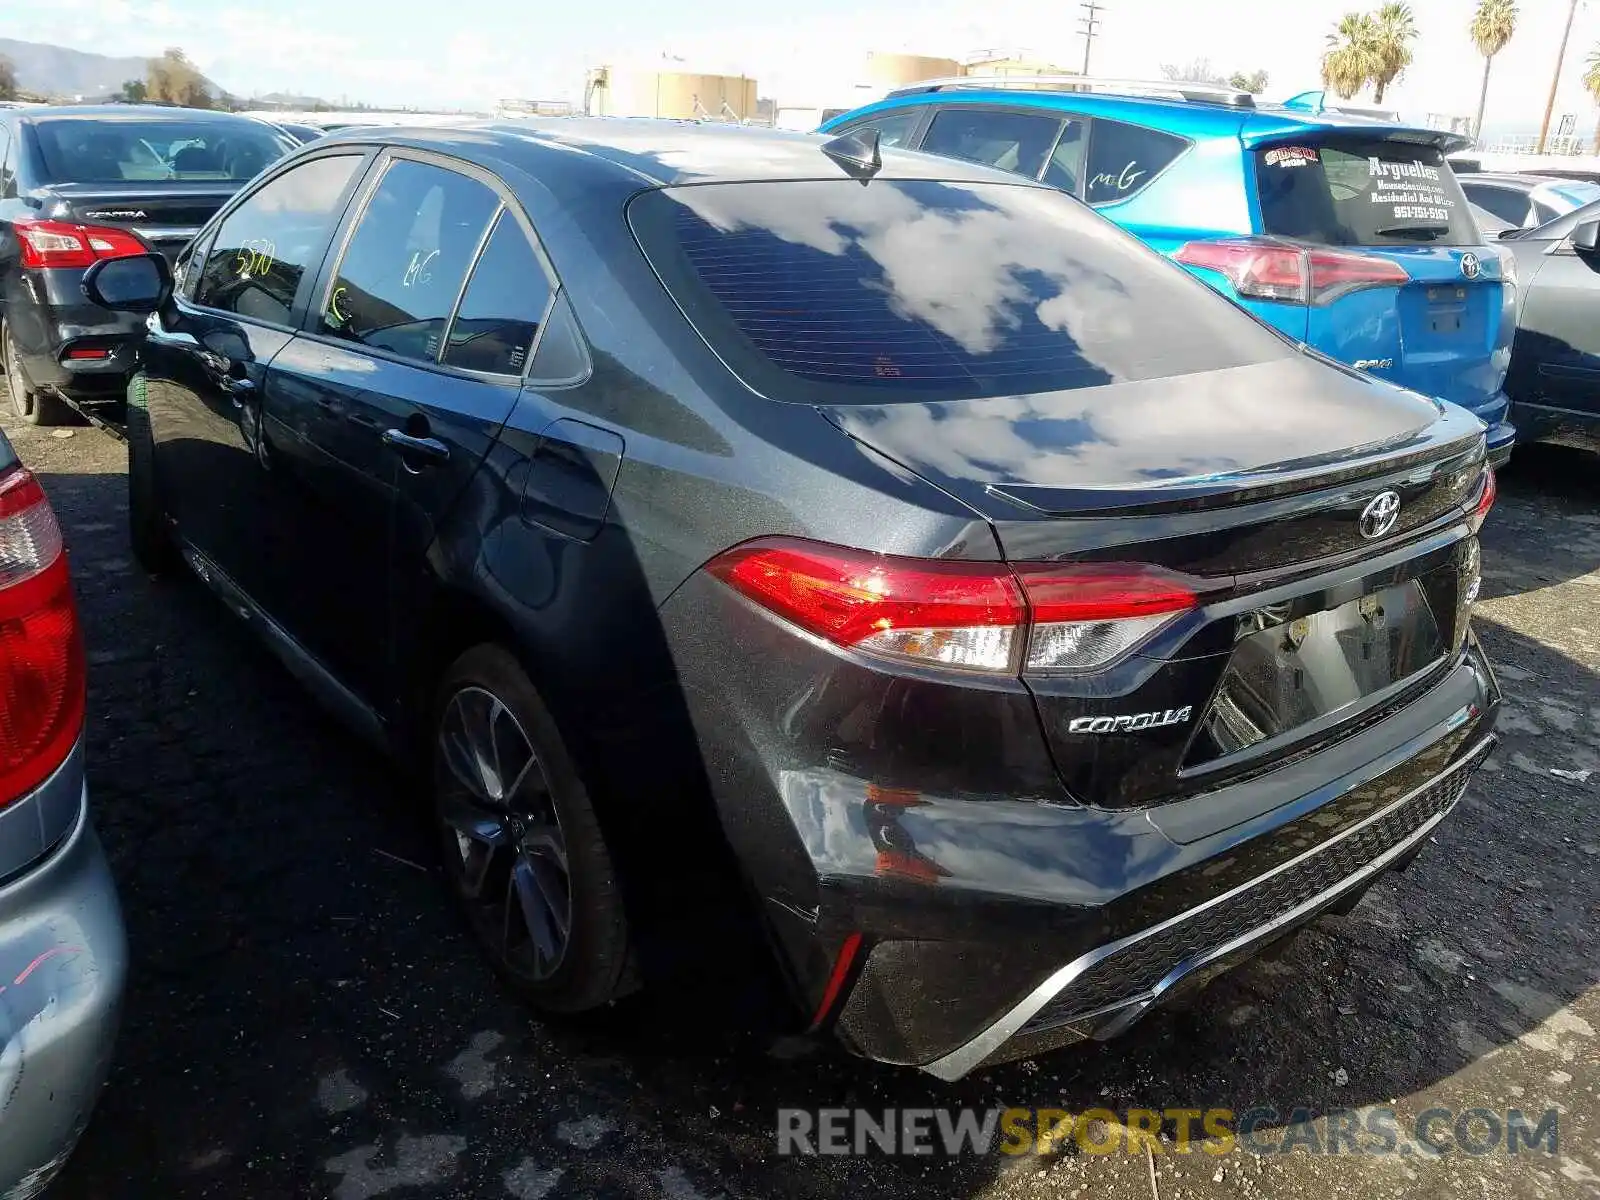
127	151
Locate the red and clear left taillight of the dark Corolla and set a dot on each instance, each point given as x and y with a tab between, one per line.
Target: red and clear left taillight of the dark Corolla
970	617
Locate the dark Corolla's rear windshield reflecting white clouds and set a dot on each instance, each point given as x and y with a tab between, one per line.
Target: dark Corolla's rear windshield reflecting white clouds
930	290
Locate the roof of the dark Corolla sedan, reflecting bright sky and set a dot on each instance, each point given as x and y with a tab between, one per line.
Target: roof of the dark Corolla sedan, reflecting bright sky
657	151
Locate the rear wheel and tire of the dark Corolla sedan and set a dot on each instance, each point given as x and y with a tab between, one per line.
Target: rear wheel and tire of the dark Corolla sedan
594	966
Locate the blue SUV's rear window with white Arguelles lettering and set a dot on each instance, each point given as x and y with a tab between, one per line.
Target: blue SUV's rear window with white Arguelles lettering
1364	193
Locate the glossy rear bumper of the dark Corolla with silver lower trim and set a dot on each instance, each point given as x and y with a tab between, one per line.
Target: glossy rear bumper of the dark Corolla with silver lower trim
932	890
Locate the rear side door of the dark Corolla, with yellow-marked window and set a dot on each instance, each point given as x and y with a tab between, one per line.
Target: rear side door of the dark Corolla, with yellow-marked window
382	410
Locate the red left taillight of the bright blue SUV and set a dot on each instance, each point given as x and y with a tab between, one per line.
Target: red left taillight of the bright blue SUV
1278	271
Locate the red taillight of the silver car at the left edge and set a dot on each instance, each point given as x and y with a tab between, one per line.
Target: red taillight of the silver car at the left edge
42	673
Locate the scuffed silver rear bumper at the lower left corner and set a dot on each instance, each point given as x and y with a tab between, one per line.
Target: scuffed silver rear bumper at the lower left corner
63	969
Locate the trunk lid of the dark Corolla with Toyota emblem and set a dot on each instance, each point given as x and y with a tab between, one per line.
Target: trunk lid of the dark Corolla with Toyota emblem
1257	486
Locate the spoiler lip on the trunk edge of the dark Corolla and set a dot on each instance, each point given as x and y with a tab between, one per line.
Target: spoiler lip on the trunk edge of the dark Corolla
1452	438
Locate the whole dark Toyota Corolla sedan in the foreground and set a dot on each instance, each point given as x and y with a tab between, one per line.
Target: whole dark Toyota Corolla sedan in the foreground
884	548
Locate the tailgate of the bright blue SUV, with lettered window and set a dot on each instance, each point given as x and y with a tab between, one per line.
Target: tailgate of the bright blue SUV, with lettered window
1447	330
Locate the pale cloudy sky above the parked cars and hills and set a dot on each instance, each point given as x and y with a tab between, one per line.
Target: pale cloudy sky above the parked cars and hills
473	52
